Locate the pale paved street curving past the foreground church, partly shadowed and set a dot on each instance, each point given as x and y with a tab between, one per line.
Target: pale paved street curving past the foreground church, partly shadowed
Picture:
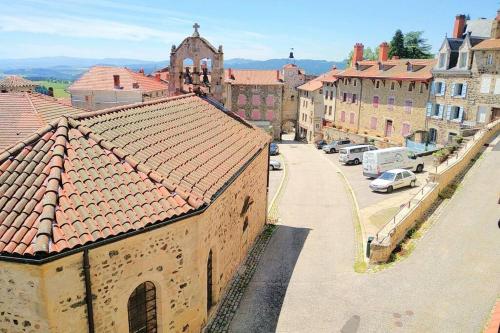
305	281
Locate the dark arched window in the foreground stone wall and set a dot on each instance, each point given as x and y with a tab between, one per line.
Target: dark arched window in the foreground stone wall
142	309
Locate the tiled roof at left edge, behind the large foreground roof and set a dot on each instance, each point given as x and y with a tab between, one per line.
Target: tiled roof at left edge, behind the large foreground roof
21	114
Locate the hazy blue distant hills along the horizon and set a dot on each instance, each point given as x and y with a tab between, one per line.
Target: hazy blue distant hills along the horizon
70	68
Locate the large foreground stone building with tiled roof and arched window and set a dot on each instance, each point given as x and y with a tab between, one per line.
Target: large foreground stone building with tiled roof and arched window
128	219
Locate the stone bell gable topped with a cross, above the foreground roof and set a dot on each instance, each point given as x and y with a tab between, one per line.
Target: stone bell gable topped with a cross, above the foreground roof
197	48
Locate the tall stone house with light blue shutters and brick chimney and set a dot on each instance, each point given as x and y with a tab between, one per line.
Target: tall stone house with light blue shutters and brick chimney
453	107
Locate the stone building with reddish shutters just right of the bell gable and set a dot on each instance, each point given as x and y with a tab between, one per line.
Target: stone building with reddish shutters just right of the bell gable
266	98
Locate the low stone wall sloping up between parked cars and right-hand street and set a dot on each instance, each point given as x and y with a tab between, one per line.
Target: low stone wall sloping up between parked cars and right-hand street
395	230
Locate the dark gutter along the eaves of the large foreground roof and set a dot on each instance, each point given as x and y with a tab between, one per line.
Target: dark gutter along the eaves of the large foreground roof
92	245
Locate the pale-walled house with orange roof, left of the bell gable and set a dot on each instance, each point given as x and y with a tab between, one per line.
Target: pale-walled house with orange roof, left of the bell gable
103	87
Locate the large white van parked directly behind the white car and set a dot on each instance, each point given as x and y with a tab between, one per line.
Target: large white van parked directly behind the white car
378	161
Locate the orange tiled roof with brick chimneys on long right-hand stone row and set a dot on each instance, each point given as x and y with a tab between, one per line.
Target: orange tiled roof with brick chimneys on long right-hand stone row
393	69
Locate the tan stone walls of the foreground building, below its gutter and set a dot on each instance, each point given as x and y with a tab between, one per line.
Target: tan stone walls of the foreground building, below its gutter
50	297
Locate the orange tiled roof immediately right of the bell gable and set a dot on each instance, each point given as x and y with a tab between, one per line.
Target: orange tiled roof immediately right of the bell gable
253	77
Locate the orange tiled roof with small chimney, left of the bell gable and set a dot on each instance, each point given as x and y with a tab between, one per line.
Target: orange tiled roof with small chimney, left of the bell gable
101	78
